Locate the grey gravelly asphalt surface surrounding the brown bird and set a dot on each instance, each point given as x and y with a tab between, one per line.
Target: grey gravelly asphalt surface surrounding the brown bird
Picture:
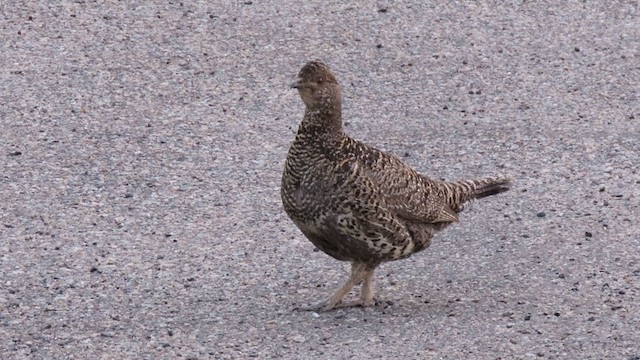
142	143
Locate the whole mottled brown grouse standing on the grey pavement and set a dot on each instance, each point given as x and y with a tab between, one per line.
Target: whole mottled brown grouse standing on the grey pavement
357	203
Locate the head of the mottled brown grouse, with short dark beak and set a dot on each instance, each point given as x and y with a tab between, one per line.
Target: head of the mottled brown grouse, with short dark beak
317	86
